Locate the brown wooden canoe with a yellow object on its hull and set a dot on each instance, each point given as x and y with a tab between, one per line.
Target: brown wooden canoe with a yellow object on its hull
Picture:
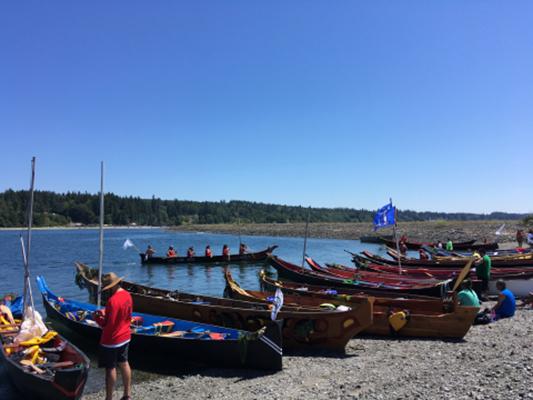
434	318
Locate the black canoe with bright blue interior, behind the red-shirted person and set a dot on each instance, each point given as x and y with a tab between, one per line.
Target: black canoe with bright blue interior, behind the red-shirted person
169	343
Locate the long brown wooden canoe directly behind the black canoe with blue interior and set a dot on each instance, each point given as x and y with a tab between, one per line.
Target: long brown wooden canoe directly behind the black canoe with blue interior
303	327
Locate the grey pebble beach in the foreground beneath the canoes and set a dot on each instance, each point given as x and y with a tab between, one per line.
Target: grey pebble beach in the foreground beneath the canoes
492	362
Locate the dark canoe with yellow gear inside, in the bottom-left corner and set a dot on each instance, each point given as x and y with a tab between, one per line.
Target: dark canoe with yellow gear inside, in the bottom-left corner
62	379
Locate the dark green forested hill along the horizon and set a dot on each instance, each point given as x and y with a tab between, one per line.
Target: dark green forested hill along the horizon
54	209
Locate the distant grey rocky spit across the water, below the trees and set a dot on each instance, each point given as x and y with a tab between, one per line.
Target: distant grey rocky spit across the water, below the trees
422	231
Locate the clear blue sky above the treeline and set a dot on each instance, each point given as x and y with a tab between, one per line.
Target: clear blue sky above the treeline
296	102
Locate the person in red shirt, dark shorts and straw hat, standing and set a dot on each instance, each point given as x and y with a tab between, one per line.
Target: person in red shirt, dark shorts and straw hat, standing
116	335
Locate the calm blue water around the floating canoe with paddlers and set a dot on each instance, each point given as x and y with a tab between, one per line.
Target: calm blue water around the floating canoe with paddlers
54	252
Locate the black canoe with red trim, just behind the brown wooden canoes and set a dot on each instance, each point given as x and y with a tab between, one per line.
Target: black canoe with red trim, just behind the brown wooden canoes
297	274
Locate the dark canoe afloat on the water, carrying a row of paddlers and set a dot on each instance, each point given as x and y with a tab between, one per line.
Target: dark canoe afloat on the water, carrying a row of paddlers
234	258
